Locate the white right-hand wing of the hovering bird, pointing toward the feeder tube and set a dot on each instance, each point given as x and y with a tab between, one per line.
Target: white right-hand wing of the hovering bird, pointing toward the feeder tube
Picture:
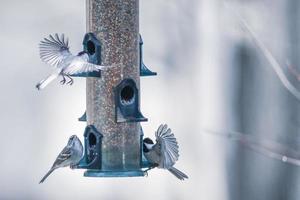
81	66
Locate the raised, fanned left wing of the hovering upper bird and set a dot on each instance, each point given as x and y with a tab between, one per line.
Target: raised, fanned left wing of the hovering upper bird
54	50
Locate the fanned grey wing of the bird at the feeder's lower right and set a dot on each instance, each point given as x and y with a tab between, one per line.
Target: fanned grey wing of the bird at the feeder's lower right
167	145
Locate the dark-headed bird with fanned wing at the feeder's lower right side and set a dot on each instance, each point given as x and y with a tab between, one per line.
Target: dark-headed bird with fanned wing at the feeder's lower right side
165	152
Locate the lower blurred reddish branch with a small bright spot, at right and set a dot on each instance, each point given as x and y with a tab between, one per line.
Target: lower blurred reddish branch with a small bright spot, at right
265	147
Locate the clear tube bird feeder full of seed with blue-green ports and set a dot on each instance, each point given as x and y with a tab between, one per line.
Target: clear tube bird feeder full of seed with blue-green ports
113	135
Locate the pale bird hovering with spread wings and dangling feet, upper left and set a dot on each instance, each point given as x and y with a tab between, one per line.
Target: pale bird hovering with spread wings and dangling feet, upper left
55	52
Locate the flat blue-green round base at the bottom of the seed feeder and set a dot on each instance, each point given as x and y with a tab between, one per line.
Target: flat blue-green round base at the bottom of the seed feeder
99	173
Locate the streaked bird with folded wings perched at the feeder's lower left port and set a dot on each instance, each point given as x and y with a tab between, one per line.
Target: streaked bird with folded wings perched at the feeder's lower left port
69	156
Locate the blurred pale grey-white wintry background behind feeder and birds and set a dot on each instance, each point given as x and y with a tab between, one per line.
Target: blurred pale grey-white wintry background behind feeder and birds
211	76
